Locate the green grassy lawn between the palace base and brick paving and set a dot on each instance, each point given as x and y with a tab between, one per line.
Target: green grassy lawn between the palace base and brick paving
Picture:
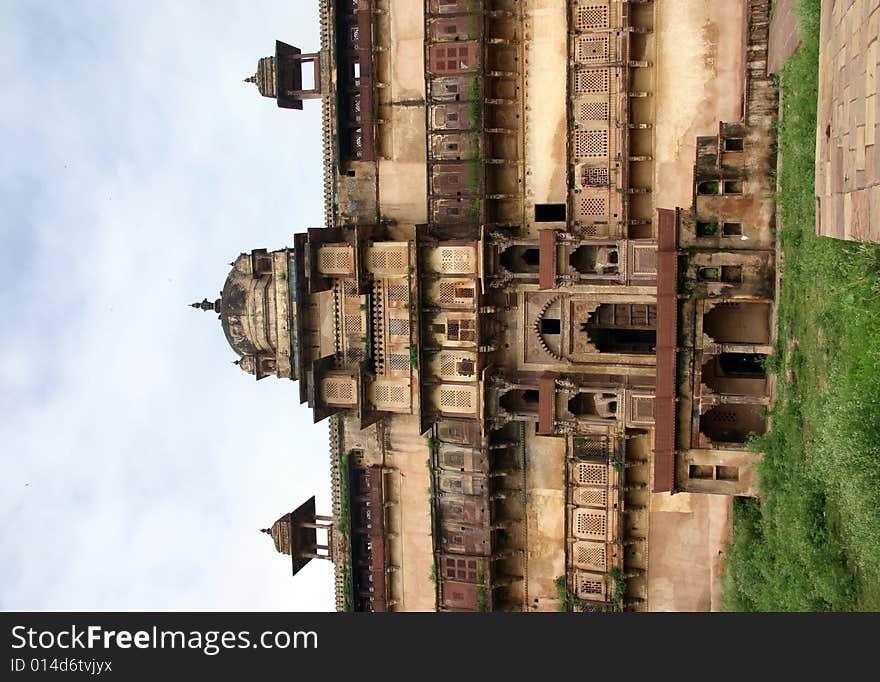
812	541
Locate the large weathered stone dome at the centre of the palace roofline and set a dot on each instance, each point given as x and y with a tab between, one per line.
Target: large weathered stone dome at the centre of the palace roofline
245	305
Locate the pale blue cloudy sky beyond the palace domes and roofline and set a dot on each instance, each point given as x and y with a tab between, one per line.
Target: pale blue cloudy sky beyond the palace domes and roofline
138	463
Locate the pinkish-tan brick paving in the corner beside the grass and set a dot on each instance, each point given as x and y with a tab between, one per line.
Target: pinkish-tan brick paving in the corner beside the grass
848	135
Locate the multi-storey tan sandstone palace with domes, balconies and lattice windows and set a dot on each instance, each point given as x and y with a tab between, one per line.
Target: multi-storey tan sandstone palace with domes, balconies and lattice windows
539	378
